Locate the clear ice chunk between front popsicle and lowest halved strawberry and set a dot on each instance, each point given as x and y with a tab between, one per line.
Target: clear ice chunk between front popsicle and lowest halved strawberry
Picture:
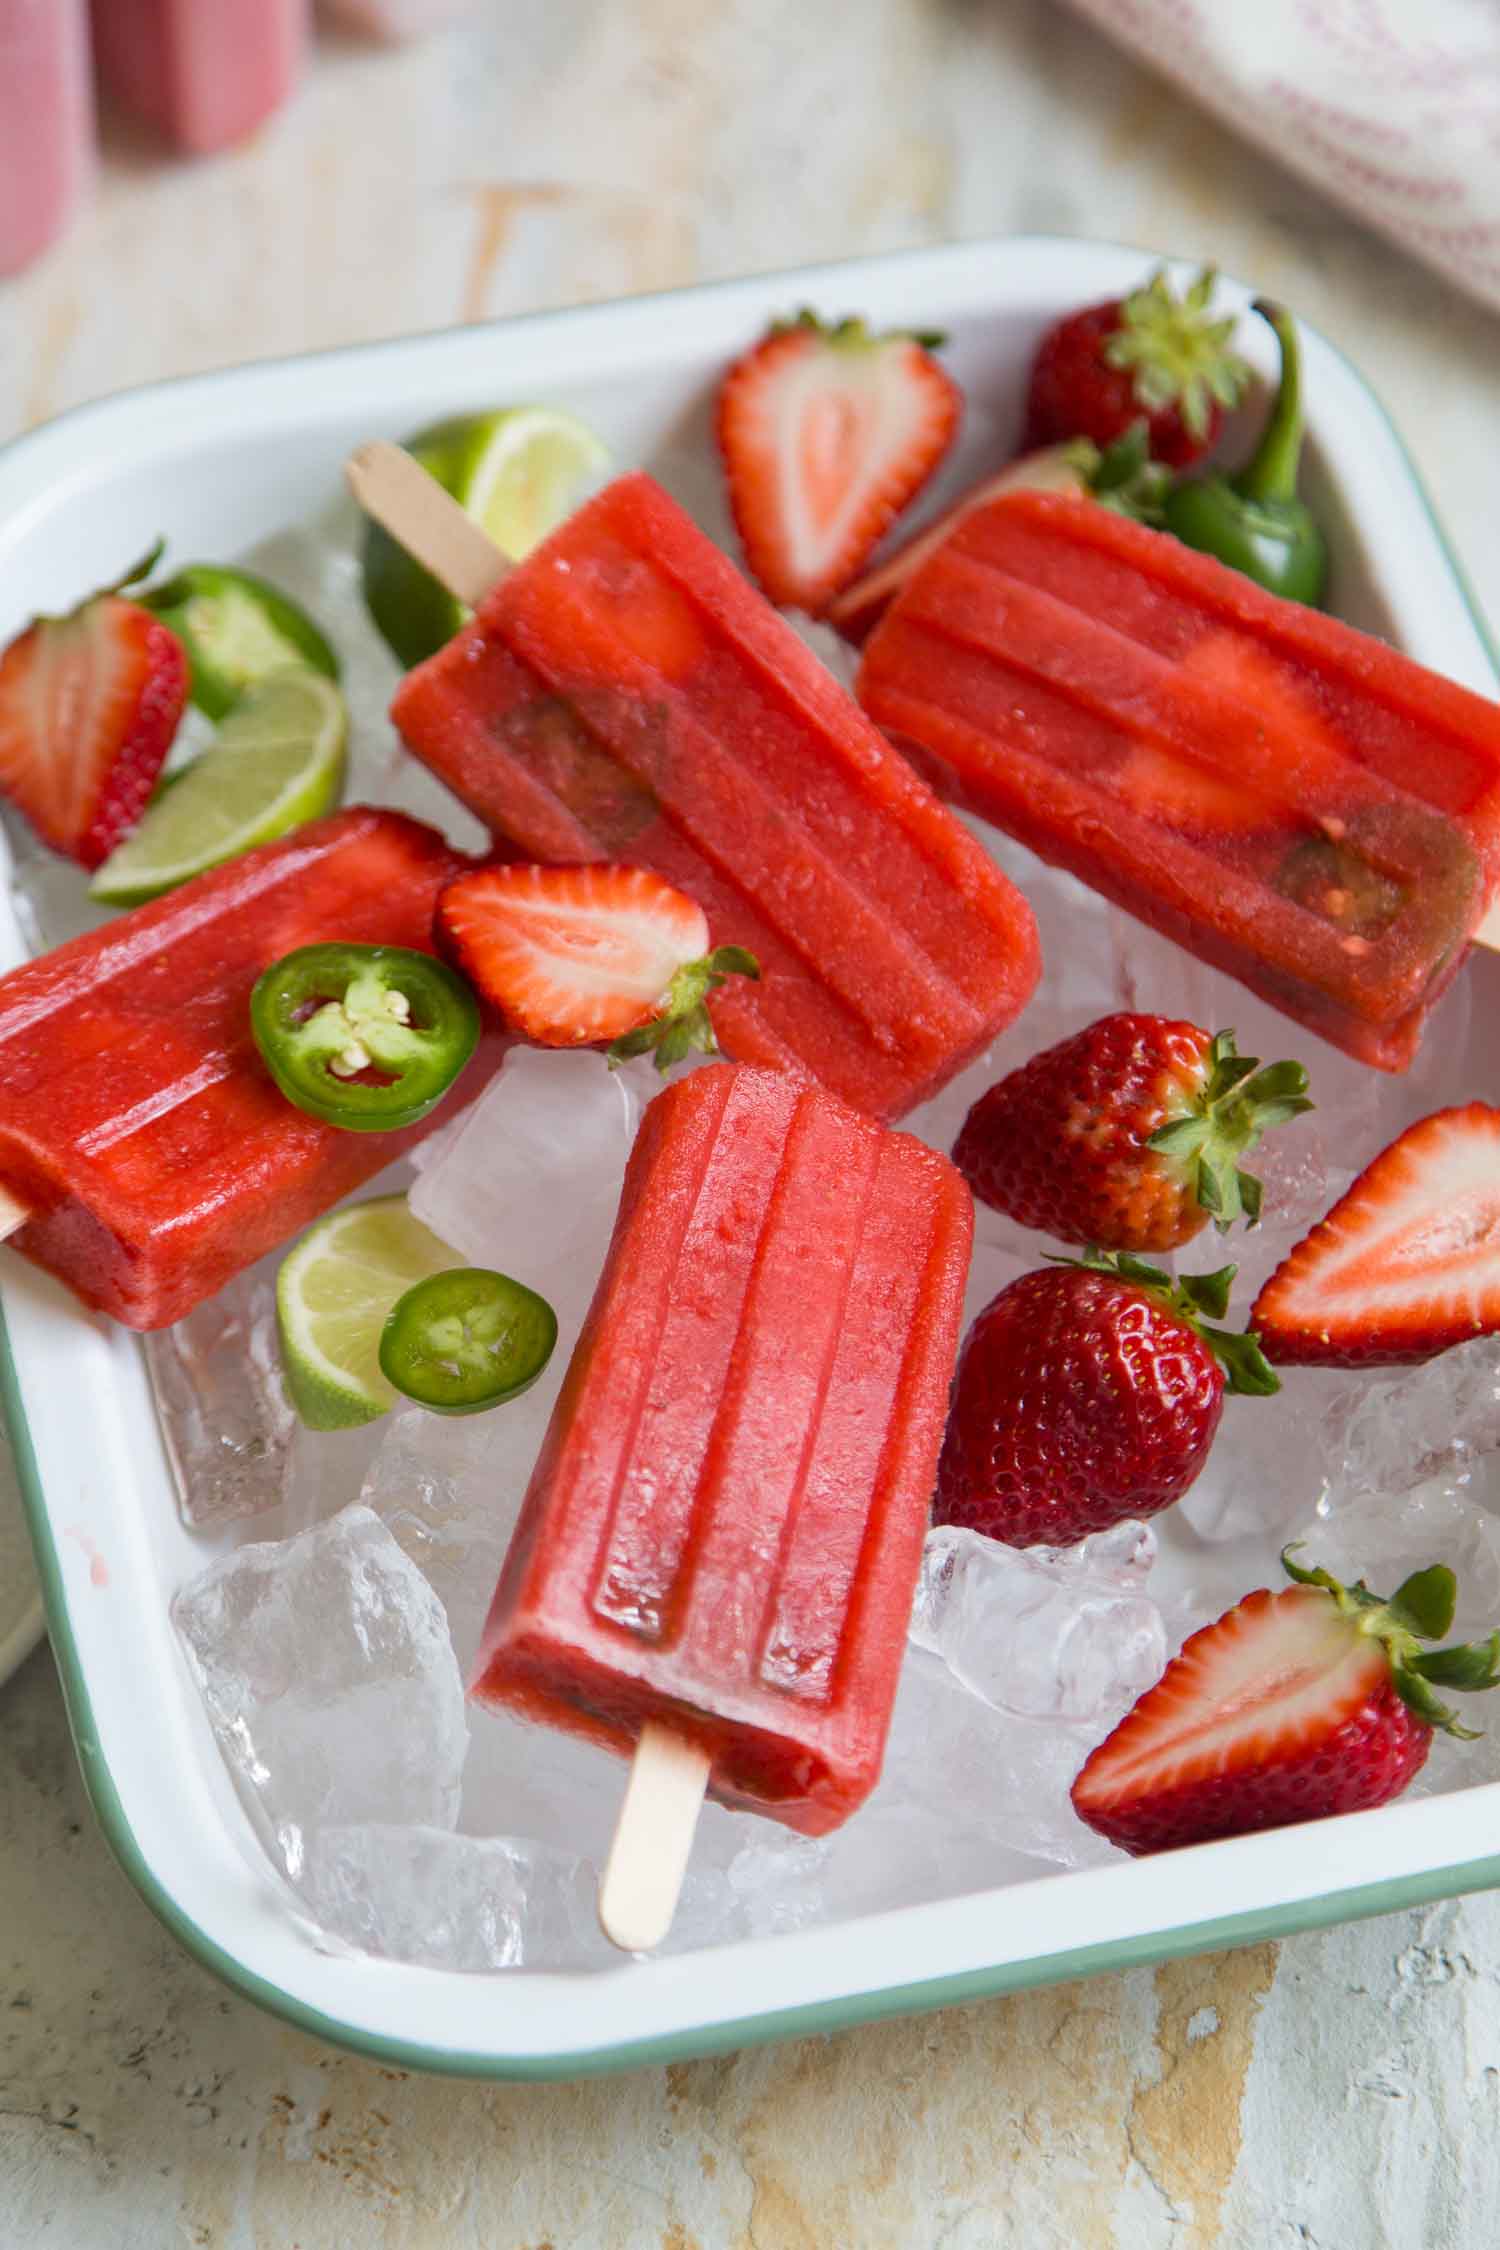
1042	1632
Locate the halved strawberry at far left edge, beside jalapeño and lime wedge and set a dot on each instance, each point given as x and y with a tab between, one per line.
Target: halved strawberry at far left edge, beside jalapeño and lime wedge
89	710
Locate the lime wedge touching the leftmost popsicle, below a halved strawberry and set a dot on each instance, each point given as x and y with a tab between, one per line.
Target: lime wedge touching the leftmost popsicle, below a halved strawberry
275	762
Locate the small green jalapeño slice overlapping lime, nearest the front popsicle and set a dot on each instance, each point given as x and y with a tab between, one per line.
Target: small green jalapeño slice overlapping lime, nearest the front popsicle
467	1340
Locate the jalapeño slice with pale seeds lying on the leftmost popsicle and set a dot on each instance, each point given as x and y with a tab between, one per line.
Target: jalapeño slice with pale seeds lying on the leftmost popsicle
363	1036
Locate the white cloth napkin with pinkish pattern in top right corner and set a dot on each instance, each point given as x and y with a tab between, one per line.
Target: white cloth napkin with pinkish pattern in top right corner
1391	107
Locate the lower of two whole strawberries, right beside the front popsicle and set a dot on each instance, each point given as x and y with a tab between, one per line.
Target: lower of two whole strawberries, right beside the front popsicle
1087	1394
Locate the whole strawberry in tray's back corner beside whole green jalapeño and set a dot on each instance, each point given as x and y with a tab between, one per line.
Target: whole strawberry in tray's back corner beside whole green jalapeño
1150	354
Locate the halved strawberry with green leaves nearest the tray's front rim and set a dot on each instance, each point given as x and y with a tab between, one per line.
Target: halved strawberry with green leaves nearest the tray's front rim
1292	1707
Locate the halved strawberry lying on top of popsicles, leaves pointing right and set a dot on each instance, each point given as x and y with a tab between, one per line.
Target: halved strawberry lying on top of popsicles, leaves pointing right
588	955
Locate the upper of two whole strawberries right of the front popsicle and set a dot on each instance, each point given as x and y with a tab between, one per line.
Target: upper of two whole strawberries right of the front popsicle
1128	1135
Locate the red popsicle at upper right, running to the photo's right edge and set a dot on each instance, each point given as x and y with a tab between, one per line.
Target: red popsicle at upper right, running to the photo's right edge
1287	798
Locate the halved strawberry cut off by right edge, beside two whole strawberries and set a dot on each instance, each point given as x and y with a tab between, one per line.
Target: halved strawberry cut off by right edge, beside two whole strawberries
1407	1266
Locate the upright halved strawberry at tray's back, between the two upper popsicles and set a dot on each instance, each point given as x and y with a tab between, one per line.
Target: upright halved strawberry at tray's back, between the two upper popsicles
826	435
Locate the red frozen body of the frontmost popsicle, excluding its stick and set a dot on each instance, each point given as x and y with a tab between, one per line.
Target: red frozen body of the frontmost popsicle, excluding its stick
725	1522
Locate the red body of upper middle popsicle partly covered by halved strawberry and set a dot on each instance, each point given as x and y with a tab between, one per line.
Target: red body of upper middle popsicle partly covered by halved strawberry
629	696
